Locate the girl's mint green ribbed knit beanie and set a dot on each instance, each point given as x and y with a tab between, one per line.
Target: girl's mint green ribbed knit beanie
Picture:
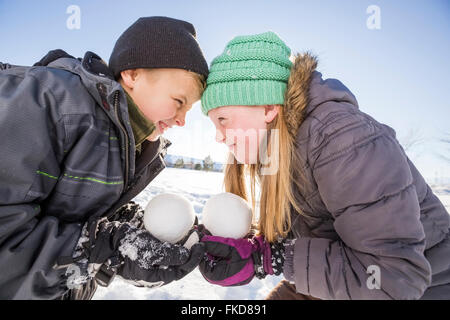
253	70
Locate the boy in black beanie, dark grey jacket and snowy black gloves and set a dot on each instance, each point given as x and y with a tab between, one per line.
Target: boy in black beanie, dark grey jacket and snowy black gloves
79	141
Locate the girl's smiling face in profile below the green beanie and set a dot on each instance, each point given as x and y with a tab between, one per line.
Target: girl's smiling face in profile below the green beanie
242	129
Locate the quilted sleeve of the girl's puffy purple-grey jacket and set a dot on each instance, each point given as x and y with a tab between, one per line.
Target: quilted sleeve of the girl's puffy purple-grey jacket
365	182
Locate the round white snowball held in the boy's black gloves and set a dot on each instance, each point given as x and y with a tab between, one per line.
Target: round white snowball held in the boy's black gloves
169	217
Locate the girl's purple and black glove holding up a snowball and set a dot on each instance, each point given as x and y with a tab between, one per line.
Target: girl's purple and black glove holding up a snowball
234	262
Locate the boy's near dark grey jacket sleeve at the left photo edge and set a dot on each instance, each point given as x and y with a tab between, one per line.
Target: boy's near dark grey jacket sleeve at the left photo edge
30	239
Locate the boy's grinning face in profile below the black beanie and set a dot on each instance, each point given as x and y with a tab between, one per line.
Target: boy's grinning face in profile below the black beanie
164	96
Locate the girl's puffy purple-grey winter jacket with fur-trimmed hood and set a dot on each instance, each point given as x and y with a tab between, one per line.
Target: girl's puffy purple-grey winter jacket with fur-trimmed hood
371	227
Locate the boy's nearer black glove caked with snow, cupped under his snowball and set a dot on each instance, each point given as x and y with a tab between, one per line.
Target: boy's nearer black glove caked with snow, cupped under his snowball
139	257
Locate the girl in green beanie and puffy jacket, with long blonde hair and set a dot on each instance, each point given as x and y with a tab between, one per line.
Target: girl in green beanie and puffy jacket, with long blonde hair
345	215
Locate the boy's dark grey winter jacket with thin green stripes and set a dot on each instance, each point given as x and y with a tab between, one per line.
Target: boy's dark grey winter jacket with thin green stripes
67	155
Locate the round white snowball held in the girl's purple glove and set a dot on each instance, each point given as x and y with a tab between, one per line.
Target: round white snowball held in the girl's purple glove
227	215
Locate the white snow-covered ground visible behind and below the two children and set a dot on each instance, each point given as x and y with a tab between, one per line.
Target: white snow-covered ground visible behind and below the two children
198	186
